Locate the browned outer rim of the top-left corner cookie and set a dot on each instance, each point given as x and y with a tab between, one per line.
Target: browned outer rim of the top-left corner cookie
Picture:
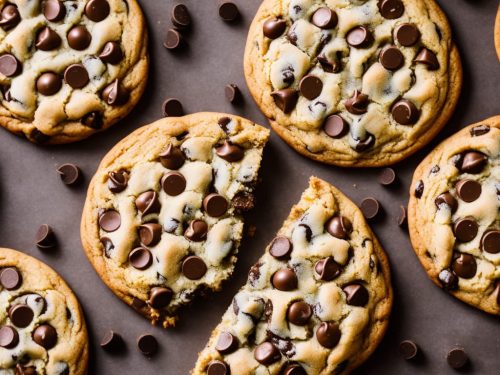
134	78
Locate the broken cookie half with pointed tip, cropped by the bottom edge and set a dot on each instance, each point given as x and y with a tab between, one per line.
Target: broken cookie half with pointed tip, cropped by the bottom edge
317	302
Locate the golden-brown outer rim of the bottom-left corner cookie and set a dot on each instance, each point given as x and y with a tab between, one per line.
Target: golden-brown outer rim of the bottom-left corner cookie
10	257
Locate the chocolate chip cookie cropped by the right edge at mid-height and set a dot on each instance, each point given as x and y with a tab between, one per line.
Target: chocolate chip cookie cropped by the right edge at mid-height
454	215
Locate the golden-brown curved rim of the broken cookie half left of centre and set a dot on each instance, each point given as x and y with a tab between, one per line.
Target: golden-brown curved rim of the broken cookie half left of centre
171	126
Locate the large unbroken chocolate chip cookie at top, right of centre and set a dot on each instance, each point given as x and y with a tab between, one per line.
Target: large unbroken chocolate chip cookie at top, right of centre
353	83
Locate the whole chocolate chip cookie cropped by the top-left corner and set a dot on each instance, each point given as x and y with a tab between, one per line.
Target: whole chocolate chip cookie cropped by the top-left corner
69	69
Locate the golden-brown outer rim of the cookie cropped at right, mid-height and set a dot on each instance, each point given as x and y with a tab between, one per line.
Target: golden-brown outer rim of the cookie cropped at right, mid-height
414	223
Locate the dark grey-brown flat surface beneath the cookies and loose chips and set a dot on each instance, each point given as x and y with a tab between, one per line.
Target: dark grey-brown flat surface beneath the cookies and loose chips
31	194
